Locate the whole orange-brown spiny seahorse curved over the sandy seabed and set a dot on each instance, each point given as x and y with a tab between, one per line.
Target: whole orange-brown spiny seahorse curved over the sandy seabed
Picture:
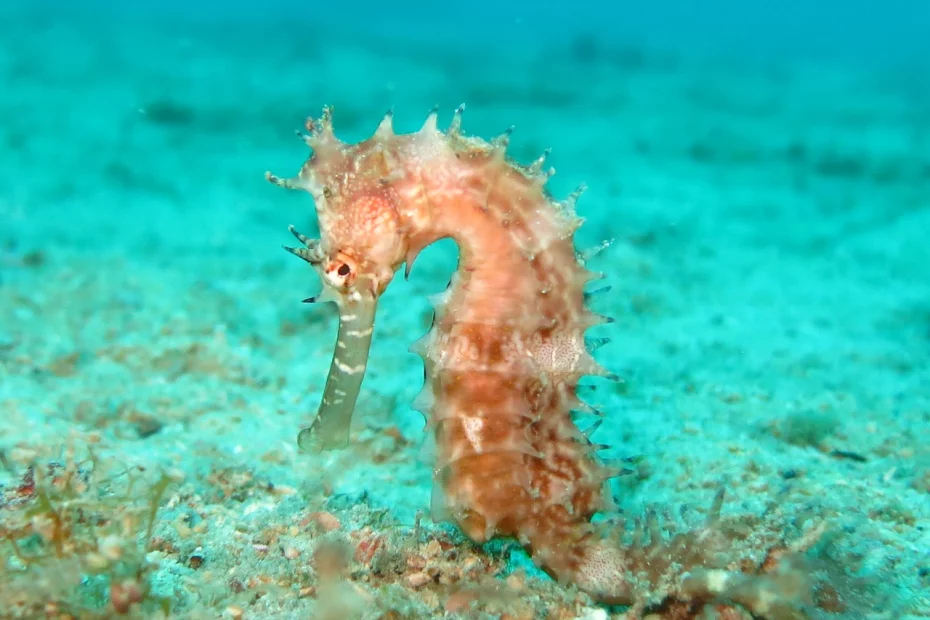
507	346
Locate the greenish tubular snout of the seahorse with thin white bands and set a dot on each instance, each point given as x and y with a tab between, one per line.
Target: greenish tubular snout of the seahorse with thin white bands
330	429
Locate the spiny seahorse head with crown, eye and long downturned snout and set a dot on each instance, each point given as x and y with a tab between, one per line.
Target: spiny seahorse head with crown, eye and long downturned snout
361	246
